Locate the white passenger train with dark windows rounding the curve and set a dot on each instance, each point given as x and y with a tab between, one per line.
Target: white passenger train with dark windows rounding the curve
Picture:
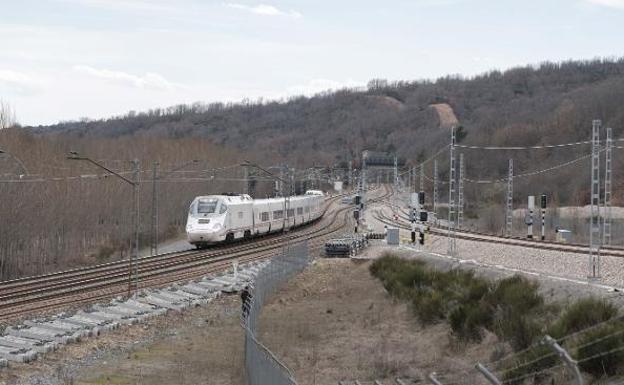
220	218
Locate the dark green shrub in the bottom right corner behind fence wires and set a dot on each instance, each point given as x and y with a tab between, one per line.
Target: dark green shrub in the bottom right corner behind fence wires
601	341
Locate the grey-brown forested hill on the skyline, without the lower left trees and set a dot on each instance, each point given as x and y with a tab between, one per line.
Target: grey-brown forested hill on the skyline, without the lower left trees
552	102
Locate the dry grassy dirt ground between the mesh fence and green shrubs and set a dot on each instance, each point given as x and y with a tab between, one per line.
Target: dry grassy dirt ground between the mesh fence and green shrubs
336	322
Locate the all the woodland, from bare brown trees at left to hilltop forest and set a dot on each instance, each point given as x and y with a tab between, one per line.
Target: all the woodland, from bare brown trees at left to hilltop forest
55	224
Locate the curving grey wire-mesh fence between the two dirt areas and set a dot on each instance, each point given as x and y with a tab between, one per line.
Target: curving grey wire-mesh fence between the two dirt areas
261	365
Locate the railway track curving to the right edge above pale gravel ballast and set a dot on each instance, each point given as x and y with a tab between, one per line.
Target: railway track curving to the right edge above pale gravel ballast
480	237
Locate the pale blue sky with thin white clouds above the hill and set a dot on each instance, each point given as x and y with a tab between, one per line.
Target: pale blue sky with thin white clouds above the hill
68	59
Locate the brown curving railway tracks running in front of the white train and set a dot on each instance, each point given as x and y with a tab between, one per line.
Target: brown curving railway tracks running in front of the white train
91	284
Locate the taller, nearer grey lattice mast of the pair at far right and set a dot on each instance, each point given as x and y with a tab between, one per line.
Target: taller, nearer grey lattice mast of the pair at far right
594	225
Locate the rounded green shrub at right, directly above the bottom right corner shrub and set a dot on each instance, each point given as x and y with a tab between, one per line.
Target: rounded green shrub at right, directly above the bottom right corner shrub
582	314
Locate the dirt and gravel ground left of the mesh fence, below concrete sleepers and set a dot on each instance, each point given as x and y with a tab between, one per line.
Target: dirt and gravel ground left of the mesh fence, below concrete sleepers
203	345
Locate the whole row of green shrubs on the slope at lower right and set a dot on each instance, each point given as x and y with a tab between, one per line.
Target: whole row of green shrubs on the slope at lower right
512	308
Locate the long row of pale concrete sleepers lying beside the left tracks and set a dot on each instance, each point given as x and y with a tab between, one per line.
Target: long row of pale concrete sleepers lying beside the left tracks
25	342
